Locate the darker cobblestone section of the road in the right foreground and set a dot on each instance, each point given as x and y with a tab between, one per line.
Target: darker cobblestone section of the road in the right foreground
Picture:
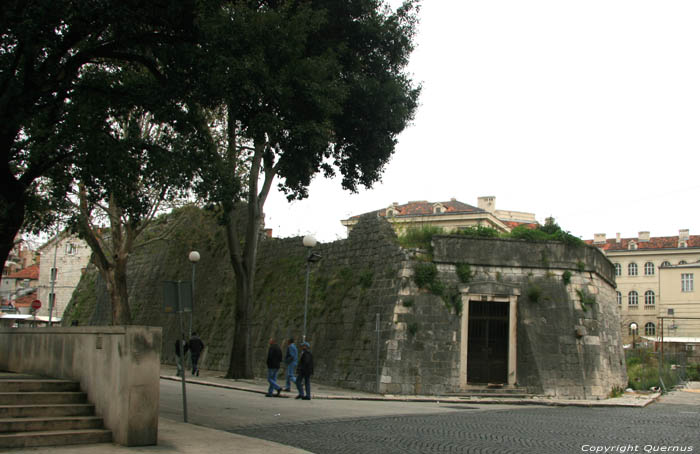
561	430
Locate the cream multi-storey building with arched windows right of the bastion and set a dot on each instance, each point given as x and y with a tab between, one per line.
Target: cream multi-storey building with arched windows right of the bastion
647	273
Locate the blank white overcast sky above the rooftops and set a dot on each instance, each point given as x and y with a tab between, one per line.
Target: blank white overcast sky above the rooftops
587	111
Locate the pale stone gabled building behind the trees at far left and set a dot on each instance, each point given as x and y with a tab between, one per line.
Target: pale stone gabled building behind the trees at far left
70	255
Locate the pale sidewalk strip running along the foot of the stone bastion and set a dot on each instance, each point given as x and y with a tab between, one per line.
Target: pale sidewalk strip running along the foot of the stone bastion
320	391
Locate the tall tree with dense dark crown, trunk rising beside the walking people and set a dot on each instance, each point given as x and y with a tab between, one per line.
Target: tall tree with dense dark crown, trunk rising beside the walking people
318	86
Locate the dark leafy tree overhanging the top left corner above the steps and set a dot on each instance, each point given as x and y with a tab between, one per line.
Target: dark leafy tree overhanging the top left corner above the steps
45	47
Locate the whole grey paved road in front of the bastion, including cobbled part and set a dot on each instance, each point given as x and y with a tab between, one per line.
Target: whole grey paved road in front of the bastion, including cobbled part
324	426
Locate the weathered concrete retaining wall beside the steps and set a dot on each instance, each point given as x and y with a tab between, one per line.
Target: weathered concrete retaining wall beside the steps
118	368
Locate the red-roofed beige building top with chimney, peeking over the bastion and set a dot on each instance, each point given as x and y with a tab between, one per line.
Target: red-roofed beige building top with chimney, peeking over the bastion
450	216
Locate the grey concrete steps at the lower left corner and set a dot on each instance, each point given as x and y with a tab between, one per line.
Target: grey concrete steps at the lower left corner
38	411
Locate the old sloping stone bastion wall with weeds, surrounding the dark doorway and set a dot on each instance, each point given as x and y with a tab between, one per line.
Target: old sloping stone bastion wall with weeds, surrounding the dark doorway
370	325
